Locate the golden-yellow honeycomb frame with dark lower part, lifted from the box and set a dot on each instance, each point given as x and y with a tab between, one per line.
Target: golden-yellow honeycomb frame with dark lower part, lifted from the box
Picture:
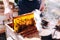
24	22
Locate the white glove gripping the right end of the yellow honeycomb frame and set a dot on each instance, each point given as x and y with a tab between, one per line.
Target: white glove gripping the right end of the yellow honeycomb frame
37	19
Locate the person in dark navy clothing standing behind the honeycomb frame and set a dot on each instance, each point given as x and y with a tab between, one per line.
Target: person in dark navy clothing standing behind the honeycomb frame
26	6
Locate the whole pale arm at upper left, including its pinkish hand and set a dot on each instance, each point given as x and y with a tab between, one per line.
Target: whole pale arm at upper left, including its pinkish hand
7	12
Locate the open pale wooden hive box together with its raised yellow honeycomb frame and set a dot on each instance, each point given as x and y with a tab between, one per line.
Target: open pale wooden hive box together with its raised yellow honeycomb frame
23	25
